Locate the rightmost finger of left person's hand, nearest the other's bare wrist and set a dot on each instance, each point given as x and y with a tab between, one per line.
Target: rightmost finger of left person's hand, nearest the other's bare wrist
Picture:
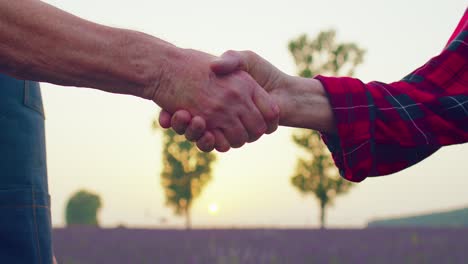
268	108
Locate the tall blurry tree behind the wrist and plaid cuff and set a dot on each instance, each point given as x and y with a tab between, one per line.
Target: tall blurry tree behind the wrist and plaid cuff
317	173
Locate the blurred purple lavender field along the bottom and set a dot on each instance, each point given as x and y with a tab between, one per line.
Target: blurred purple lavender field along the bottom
83	245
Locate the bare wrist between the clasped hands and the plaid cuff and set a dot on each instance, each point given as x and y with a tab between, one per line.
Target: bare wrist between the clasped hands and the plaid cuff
304	103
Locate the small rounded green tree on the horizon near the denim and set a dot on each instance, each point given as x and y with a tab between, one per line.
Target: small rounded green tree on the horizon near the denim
82	209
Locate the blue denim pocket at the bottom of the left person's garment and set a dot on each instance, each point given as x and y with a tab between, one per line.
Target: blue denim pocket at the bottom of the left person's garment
25	227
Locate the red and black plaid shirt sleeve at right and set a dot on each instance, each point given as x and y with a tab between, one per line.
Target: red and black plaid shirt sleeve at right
384	128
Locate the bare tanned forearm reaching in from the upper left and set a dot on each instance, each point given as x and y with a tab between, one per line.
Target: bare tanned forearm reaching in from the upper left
43	43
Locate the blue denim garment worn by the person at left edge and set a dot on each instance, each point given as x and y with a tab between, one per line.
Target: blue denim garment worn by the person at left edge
25	225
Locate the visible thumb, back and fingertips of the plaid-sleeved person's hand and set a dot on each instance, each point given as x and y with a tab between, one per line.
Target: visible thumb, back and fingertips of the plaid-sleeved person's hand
194	127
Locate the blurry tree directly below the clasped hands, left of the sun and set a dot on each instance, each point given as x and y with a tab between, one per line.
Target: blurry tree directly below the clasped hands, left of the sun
186	170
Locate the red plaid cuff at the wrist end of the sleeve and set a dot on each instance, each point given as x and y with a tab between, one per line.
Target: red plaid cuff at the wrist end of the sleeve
351	147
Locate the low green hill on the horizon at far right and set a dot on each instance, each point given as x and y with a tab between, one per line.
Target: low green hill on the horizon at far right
453	218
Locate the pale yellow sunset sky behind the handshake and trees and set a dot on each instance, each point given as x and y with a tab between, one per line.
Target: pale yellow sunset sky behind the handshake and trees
104	142
